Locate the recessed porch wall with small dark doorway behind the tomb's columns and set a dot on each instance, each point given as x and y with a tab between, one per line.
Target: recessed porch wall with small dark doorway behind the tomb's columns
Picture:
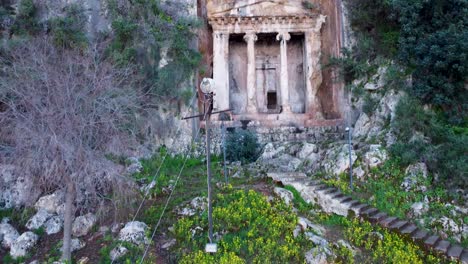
267	79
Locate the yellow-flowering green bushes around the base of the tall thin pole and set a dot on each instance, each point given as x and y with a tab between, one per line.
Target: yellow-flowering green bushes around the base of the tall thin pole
251	229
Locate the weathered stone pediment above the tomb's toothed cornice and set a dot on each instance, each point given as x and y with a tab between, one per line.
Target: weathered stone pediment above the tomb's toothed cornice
256	8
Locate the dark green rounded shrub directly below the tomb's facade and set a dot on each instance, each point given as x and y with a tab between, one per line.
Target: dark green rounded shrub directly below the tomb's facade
242	145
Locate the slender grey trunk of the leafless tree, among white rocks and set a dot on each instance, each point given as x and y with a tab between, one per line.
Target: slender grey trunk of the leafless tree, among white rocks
68	220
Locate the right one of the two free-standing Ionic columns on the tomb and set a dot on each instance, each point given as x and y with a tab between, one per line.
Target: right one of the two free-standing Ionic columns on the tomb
284	37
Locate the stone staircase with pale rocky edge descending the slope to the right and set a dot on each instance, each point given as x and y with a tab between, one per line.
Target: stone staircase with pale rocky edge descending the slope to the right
331	200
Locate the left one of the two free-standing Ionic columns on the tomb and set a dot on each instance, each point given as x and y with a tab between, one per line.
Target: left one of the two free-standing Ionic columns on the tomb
250	38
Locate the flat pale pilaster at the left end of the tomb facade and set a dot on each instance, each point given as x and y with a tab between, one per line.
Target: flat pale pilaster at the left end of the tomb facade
221	70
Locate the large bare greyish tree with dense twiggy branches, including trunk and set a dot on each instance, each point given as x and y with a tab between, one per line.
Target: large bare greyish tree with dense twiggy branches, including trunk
62	111
